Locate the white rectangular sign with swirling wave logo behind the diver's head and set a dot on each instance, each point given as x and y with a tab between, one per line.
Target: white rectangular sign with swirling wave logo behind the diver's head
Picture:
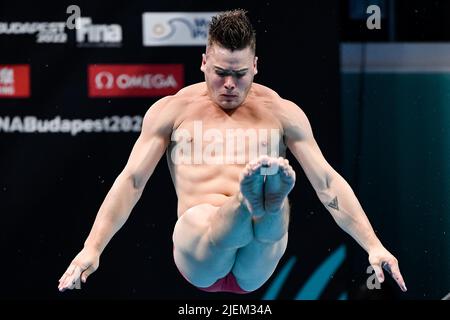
176	28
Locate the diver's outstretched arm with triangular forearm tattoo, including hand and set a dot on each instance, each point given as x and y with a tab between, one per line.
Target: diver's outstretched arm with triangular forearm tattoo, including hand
335	193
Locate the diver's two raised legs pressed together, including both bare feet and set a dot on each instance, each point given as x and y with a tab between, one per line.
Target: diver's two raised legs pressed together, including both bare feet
246	236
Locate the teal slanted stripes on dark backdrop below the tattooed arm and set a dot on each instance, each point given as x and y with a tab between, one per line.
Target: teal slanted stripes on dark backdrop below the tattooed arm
315	284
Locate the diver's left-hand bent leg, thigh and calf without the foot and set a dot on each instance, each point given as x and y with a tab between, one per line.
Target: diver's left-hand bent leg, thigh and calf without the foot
206	239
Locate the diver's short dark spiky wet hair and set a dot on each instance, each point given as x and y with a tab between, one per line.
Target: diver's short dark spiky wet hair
232	30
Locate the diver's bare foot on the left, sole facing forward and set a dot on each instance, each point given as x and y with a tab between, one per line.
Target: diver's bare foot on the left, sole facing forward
252	185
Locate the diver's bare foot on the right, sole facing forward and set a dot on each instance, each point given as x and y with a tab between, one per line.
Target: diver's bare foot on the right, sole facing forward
277	186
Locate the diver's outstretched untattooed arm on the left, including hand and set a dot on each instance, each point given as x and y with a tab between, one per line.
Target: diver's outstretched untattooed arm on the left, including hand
124	193
